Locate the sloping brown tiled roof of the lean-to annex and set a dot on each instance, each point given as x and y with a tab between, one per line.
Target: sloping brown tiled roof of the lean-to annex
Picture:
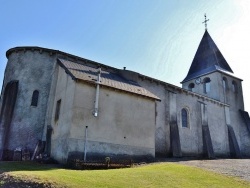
109	79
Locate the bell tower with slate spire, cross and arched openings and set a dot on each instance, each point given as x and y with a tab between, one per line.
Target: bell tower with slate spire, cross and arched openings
211	75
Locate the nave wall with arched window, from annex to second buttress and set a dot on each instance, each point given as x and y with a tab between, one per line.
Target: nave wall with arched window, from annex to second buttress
190	138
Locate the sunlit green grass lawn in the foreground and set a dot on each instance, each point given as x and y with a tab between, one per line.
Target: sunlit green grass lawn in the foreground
153	175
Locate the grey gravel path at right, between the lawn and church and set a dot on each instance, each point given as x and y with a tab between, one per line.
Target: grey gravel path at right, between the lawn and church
233	167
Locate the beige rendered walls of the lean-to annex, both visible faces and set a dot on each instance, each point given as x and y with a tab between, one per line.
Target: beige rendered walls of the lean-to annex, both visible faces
125	125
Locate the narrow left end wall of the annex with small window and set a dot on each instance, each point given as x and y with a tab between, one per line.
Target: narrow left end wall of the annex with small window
64	91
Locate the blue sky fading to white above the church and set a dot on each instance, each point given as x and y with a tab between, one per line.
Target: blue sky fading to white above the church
157	38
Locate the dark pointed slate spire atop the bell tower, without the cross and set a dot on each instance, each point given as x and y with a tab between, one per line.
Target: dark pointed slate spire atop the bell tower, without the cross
207	59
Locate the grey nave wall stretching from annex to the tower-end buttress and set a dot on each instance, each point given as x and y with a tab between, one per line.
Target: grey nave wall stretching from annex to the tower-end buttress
191	137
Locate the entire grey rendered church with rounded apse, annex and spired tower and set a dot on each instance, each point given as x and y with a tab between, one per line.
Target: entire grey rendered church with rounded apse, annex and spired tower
71	107
